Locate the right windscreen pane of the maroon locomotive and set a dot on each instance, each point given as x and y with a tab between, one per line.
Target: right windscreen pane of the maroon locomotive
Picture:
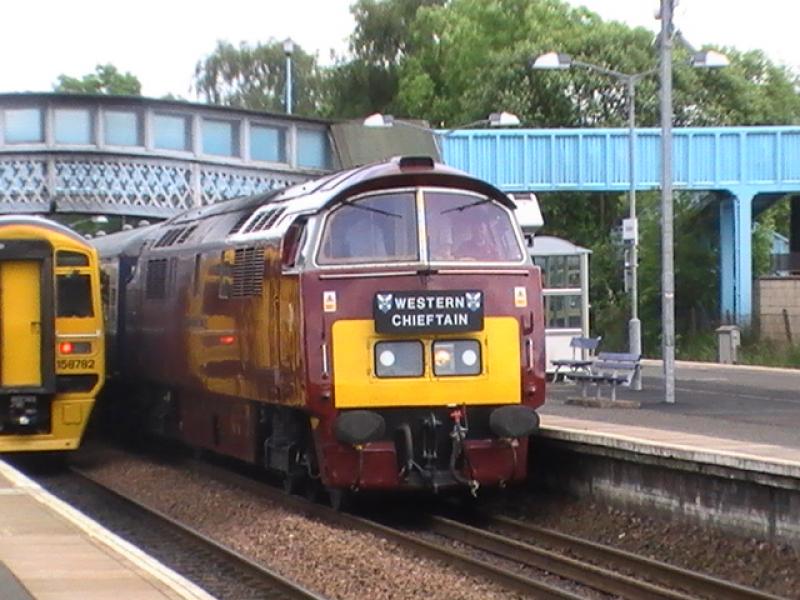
469	228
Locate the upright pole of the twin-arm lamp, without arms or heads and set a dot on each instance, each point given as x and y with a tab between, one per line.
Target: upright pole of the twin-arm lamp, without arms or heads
634	325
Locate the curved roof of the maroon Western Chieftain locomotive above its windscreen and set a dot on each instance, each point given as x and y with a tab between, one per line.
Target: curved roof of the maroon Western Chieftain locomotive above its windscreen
320	193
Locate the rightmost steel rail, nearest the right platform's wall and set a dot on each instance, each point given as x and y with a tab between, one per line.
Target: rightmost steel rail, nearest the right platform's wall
693	582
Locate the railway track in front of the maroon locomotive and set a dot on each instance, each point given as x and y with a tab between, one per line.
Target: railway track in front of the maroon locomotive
601	568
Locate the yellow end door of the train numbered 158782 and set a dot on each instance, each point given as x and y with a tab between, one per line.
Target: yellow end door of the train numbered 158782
20	324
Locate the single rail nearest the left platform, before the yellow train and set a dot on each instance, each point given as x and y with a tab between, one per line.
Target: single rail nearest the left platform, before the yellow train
286	588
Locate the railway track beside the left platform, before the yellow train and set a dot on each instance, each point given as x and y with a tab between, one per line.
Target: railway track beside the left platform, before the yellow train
218	569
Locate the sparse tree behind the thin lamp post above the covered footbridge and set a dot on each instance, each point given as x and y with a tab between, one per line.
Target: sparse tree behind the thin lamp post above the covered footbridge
254	77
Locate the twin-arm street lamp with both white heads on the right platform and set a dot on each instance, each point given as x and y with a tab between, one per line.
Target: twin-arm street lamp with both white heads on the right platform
555	61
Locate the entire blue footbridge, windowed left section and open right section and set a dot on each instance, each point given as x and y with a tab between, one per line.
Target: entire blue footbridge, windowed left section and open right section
154	158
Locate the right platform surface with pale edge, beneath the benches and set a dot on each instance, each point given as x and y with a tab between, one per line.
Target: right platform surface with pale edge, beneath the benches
746	416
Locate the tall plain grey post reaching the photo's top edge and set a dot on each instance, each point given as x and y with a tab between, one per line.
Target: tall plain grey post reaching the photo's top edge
667	261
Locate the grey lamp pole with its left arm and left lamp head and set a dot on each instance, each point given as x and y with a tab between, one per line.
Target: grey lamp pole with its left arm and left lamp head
553	60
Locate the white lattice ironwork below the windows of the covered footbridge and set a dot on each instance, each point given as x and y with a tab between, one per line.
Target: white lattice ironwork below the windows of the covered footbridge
130	185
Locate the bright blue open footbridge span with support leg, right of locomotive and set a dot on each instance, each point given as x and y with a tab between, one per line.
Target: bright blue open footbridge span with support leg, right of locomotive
744	168
